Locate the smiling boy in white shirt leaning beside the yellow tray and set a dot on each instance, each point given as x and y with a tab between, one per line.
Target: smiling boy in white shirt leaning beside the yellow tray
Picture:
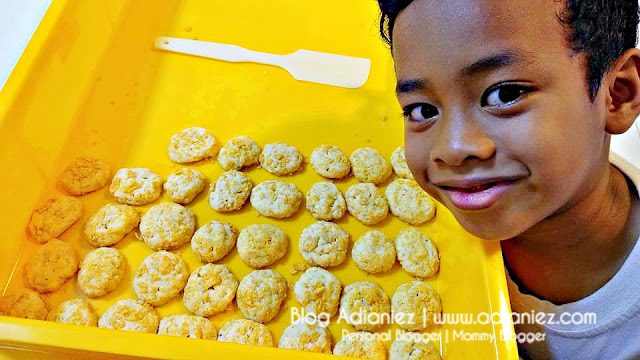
509	108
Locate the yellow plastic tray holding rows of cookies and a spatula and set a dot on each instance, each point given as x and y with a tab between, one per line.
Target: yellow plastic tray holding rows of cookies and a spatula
90	83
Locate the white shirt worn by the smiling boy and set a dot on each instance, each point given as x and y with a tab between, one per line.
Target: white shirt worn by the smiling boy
615	333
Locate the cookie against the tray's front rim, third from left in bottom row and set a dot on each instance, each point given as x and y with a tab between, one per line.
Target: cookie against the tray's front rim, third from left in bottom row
130	315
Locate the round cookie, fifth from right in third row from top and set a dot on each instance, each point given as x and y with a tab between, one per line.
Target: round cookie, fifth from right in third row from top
214	241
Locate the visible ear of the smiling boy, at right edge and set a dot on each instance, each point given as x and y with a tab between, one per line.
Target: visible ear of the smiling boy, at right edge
623	92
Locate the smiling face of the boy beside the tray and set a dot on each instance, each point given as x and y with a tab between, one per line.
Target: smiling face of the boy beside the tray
499	125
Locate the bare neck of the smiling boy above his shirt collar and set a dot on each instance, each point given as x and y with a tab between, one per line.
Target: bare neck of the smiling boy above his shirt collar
570	255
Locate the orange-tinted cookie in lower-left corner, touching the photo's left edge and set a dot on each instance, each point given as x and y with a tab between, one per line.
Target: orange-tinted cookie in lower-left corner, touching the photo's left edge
24	303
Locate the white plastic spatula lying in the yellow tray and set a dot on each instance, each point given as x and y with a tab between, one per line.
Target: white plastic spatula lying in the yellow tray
305	65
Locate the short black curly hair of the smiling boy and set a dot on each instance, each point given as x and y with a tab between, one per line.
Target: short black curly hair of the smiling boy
602	29
